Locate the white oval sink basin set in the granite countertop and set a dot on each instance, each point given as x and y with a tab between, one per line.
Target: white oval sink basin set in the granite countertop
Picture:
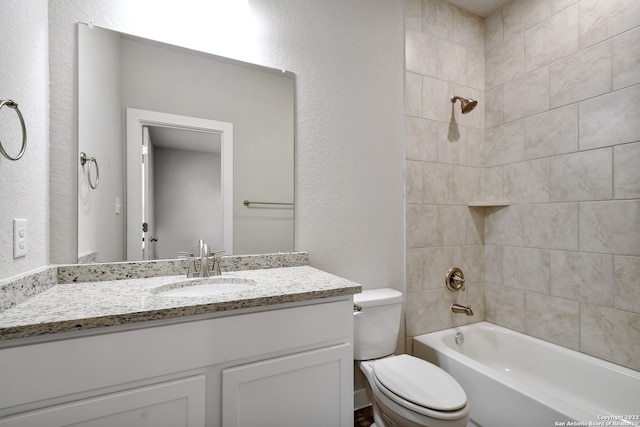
211	286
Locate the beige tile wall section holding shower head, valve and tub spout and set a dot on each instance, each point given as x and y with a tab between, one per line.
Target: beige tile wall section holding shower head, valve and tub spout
445	163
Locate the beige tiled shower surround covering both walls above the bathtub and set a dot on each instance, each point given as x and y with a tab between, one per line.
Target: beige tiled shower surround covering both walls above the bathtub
556	134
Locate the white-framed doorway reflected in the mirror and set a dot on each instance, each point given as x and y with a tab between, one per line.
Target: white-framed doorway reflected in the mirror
179	184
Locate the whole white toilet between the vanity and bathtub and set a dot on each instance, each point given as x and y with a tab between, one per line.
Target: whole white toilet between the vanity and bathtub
405	391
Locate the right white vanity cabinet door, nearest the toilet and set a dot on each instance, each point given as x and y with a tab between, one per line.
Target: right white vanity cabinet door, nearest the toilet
308	389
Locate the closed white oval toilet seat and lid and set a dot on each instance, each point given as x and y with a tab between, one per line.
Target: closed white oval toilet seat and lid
419	386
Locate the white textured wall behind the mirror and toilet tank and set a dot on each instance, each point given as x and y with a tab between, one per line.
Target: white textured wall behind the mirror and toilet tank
348	59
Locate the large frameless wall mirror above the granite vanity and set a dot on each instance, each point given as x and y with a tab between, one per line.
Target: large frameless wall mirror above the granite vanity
180	141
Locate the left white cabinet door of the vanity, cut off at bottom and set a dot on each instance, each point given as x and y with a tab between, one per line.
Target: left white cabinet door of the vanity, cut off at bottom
171	404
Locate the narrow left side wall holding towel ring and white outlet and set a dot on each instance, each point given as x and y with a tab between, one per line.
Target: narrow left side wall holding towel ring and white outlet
24	191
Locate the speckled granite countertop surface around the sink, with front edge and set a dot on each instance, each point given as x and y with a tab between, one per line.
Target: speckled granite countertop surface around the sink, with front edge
87	305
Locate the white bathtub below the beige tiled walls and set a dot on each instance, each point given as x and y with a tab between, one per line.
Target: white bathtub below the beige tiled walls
512	379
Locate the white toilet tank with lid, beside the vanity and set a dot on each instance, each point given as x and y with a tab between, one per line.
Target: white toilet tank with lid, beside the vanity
376	326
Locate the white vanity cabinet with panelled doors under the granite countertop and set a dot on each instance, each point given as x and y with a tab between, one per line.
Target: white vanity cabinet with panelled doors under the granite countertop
290	366
